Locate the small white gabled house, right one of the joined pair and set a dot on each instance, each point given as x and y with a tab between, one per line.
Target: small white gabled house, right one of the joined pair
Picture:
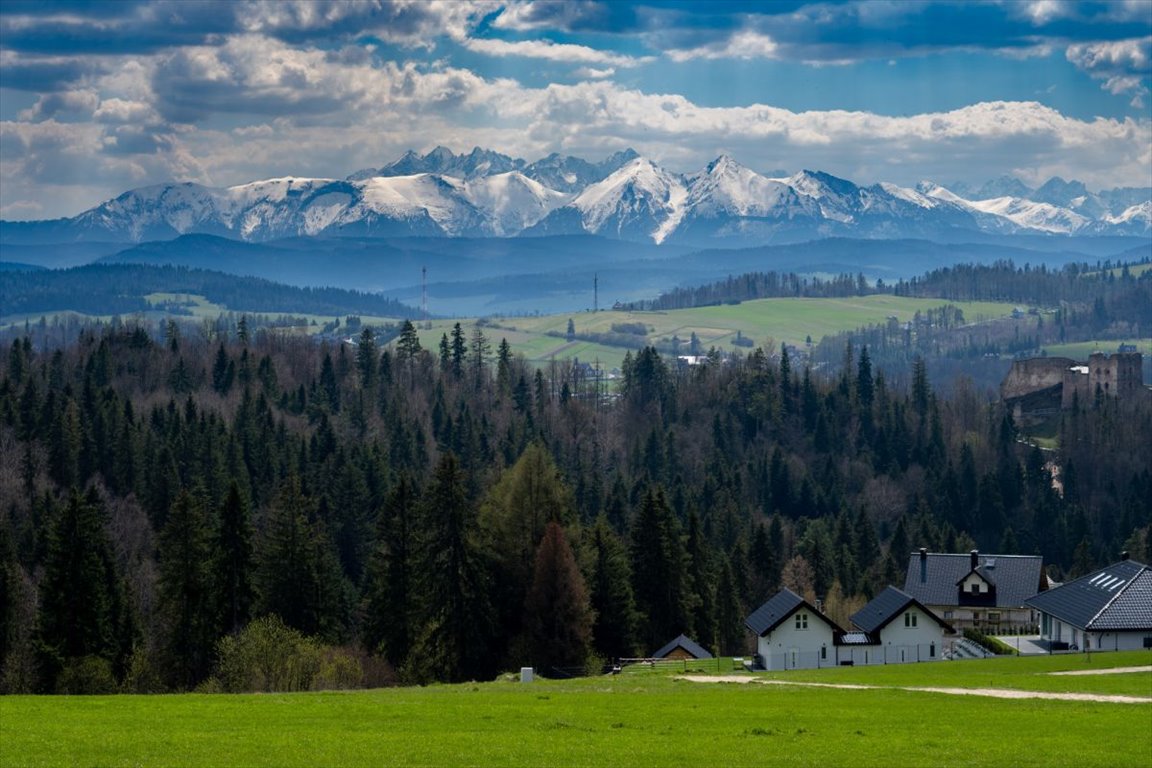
893	629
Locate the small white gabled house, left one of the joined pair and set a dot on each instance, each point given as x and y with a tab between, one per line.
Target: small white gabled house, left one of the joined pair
791	634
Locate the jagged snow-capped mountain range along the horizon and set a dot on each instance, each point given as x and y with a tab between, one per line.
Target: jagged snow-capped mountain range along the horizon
486	194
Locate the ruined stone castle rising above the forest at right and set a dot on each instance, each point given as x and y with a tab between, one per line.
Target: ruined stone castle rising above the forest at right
1048	384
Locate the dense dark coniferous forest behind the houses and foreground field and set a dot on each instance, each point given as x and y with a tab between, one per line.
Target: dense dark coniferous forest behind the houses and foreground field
170	503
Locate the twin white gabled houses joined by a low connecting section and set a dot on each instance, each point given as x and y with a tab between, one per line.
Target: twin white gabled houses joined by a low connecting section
895	628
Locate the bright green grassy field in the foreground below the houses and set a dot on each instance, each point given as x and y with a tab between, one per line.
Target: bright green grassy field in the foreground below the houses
628	720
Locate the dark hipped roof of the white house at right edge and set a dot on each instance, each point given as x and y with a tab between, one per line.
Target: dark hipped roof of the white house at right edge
1115	598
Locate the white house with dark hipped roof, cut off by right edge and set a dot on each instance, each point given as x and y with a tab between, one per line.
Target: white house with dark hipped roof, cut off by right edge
1110	610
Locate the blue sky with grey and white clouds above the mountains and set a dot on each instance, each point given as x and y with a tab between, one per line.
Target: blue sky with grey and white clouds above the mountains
100	97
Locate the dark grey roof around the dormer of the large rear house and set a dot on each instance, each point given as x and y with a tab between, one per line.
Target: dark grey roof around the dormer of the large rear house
1017	577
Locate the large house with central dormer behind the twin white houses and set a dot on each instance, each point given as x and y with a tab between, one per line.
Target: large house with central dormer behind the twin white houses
986	592
